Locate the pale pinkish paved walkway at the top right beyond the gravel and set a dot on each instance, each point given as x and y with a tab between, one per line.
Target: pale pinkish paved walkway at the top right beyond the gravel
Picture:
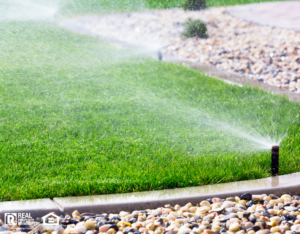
284	14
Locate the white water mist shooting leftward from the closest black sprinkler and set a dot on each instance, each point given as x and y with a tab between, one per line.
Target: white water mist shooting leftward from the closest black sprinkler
244	138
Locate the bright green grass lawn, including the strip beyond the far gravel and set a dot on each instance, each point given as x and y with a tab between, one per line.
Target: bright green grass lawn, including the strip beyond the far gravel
80	117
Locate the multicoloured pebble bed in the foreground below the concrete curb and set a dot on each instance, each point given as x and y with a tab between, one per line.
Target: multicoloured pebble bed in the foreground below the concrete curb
261	214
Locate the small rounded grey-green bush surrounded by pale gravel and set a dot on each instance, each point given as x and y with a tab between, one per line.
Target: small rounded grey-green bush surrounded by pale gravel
195	28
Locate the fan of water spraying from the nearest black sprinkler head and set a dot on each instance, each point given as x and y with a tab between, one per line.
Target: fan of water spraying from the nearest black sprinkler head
232	132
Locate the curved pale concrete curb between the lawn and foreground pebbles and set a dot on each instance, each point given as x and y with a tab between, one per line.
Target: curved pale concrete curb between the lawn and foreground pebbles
113	203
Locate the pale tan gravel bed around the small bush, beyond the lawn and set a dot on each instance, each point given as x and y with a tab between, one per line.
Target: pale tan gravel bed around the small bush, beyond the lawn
267	54
